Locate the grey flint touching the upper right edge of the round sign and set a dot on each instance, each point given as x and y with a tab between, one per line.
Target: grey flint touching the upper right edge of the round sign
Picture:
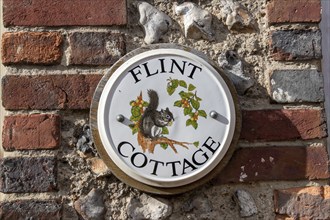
233	67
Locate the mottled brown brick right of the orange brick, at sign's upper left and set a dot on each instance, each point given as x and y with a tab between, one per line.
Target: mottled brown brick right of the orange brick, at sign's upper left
96	48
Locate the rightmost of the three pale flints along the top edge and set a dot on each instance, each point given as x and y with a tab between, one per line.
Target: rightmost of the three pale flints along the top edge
235	16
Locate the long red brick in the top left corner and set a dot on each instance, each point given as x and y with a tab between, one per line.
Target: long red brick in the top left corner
64	12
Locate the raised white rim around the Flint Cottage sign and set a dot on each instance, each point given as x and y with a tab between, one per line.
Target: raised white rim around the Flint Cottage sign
103	109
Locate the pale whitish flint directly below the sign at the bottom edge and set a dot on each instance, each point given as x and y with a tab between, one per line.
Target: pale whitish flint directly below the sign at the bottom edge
147	207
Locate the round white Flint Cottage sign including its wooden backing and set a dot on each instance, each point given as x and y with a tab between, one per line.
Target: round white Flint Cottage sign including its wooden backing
164	118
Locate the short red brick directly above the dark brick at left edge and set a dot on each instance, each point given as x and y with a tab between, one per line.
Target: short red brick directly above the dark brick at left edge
31	132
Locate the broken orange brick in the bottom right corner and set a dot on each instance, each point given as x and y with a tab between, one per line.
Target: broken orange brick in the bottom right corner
303	203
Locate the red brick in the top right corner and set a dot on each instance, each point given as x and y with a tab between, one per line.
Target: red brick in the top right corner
284	11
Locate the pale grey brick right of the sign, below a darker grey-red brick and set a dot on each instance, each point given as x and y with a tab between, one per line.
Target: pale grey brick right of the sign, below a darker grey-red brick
288	86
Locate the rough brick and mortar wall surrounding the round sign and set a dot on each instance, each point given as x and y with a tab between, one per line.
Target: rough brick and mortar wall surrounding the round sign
56	51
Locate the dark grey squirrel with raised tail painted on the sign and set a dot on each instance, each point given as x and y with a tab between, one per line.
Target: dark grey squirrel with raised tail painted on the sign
153	120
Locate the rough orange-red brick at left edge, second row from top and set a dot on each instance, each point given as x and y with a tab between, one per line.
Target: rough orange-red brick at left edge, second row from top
31	48
